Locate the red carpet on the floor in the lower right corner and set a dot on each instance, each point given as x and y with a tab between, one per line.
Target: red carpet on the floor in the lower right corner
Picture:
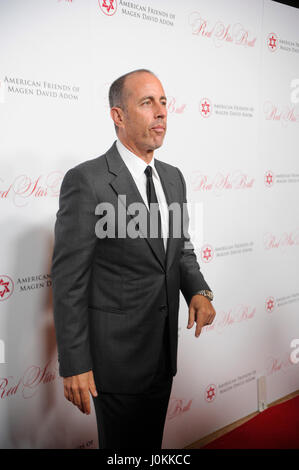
275	428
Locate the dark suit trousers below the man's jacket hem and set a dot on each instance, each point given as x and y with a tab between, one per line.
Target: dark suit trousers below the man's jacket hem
136	420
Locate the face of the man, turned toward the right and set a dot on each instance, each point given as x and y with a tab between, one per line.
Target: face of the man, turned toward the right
145	113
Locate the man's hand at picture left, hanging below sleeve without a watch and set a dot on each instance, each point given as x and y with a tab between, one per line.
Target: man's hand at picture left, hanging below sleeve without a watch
77	388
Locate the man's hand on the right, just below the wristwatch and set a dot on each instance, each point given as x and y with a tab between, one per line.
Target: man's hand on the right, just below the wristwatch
201	311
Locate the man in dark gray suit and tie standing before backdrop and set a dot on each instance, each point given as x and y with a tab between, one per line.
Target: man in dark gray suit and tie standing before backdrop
116	297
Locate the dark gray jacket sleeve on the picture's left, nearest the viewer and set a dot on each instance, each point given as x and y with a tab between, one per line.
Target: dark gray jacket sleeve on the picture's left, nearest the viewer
74	246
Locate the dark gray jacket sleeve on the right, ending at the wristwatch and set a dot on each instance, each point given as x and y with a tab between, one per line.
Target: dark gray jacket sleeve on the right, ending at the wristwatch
191	278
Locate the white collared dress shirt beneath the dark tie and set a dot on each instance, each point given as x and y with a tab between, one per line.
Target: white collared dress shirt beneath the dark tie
136	167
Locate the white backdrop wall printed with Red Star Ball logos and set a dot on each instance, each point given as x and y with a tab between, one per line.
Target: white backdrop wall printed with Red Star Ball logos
230	69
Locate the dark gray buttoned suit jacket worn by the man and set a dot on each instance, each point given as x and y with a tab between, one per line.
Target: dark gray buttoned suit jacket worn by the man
112	296
